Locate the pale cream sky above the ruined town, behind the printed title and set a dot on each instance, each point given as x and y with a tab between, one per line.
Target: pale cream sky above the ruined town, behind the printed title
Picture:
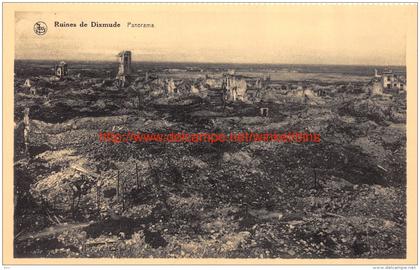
279	34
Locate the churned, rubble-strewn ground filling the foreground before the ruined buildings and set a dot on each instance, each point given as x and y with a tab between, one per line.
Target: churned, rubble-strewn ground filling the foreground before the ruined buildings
341	198
